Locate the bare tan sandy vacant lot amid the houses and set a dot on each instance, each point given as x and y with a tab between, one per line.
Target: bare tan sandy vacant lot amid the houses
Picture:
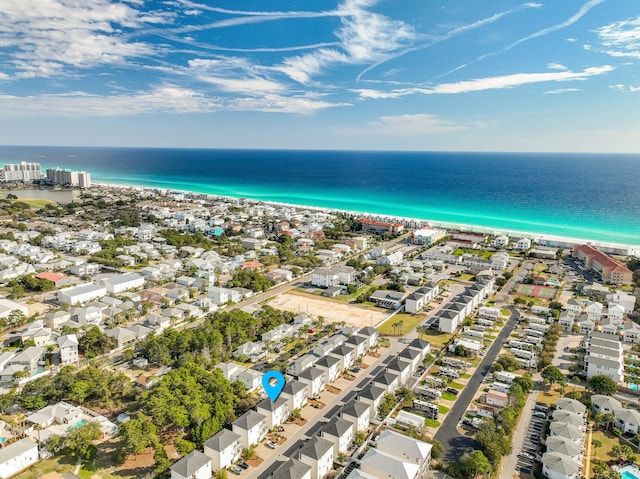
330	310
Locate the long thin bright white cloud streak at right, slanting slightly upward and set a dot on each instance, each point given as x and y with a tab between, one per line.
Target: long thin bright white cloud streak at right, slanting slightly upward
489	83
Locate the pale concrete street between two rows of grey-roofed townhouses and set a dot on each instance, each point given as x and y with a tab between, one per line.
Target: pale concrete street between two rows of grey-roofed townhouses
311	427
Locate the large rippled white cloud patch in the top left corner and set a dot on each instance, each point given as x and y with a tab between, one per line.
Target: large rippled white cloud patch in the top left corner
43	36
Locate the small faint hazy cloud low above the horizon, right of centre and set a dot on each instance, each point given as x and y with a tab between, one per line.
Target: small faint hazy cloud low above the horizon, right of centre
413	125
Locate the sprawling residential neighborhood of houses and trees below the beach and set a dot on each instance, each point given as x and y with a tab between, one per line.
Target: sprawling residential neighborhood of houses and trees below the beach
137	325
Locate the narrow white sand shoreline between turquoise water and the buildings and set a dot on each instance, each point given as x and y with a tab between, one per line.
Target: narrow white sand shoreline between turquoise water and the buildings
539	239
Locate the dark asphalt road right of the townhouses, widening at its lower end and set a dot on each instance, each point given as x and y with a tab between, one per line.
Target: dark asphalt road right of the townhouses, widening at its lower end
455	444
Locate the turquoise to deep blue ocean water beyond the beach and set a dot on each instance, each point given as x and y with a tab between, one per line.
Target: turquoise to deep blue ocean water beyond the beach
592	197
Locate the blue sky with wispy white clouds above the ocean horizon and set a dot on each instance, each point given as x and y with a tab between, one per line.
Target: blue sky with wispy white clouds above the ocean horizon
498	75
